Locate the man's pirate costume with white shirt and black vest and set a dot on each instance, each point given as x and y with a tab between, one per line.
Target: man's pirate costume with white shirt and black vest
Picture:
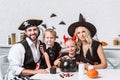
23	55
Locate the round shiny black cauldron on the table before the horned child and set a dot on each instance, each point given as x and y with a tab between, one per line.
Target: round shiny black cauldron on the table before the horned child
68	65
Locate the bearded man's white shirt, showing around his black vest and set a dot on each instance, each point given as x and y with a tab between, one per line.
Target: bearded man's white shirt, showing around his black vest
16	57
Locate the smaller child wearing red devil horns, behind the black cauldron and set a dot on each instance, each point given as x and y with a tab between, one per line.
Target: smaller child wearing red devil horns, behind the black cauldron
70	48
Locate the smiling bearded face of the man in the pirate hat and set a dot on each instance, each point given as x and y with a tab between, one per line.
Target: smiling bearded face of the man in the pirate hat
32	33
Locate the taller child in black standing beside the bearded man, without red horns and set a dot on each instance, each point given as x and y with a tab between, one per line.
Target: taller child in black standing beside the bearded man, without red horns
52	49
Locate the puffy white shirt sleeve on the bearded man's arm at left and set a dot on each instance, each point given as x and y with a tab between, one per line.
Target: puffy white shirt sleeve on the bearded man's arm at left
16	58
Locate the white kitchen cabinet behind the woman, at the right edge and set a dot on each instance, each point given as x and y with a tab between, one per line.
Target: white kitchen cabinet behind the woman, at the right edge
113	55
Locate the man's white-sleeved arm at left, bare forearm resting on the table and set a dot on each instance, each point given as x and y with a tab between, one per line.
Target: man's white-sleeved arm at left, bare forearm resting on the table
16	60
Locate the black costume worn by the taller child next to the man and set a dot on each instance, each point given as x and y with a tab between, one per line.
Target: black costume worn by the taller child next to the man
53	53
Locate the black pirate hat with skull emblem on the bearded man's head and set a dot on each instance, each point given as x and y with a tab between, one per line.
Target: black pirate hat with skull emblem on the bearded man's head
32	22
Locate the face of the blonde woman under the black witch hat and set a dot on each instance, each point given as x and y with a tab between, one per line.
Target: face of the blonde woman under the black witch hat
81	33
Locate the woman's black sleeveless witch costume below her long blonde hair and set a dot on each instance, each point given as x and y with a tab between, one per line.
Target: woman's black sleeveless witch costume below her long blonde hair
92	59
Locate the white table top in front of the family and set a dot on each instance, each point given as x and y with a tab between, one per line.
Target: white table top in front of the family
104	74
